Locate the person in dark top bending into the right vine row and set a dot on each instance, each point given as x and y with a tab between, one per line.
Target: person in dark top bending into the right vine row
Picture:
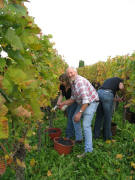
104	112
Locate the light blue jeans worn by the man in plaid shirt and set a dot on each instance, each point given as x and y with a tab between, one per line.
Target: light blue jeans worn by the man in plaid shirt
87	117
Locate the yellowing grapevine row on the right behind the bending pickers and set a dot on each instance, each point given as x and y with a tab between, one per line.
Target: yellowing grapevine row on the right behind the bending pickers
120	66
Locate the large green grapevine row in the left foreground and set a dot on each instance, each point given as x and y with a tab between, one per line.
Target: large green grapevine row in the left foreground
29	74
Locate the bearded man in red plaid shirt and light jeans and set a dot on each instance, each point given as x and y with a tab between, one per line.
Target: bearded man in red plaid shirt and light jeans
87	101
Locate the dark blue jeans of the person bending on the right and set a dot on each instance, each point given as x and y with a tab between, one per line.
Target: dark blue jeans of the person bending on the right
104	114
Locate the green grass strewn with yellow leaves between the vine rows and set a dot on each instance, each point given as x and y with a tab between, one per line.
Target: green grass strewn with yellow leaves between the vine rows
111	160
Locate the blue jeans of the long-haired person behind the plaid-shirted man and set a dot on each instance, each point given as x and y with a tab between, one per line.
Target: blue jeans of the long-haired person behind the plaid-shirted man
70	131
